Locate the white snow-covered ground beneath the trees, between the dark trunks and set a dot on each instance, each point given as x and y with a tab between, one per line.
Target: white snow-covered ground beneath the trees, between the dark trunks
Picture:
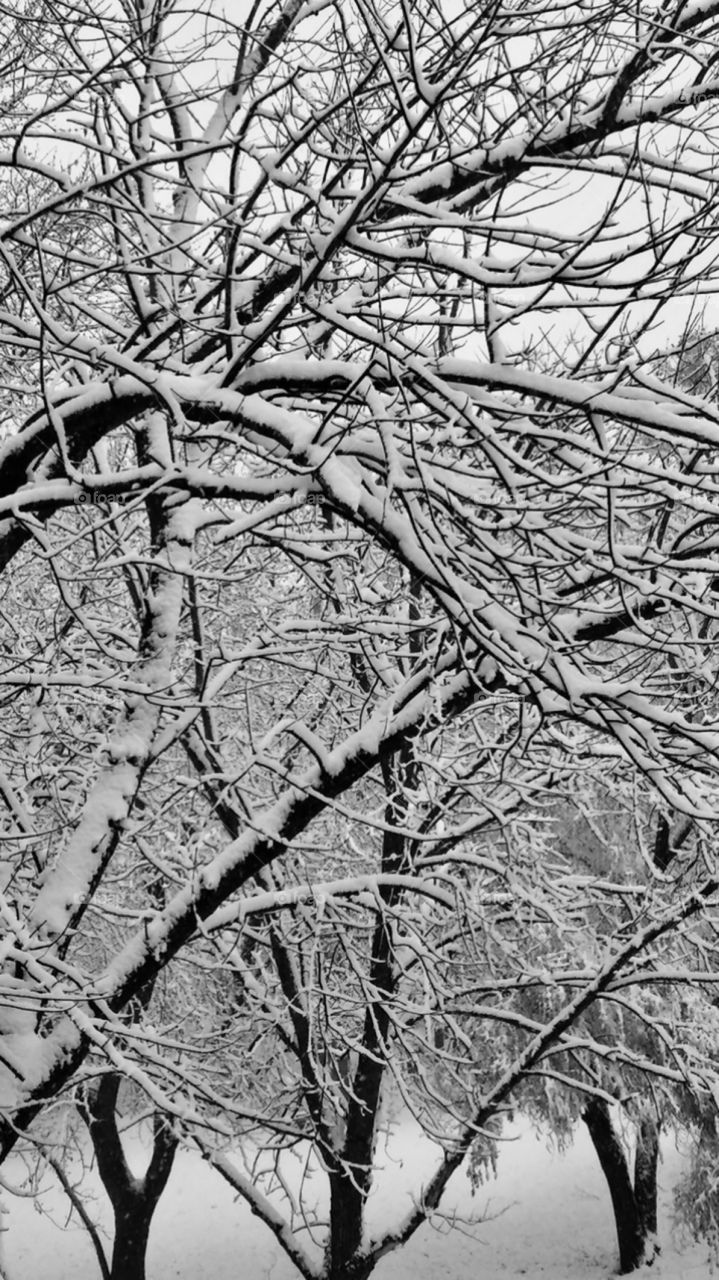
546	1215
